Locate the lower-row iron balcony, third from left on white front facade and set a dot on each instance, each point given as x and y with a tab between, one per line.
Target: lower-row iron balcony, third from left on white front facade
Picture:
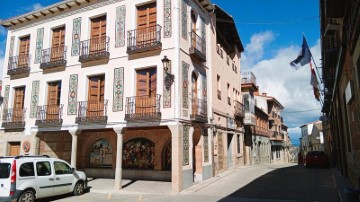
92	111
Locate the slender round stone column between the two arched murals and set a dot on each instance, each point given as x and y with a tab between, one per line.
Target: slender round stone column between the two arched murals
119	149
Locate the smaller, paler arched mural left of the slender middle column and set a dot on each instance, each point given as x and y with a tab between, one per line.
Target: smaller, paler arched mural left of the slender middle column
101	153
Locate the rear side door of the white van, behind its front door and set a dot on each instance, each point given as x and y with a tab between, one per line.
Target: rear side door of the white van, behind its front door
44	179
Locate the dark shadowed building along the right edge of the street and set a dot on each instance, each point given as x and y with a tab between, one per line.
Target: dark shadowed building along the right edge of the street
340	50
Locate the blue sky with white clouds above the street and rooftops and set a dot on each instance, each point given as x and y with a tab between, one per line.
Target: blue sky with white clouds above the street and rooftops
271	33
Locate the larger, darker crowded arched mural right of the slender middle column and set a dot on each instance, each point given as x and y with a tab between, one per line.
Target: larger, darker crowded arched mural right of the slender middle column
139	153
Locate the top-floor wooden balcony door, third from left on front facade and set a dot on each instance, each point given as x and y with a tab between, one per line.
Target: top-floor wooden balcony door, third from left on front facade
98	34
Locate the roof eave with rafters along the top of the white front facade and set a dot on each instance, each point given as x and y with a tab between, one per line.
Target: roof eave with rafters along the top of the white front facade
43	12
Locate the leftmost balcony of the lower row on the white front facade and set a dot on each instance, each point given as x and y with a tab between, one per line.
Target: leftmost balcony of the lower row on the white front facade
13	118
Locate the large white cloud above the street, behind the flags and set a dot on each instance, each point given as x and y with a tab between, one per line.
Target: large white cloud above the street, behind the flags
292	89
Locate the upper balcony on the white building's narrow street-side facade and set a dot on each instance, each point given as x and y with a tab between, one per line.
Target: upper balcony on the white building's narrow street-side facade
198	47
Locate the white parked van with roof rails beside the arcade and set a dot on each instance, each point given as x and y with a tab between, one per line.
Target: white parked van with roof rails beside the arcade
24	178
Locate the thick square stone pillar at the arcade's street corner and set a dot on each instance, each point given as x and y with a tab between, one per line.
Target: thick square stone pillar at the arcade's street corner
177	158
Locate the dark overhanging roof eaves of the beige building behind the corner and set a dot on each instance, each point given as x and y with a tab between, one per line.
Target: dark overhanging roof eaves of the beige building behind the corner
226	31
